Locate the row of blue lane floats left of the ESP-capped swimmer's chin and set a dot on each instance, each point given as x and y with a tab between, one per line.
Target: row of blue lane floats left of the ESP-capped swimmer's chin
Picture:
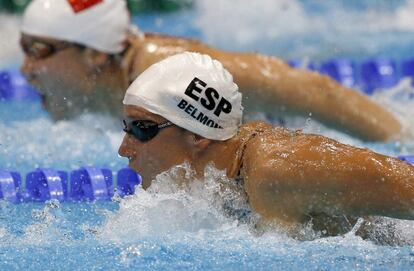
84	184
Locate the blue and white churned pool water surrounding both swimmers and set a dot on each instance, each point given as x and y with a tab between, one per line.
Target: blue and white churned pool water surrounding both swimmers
170	228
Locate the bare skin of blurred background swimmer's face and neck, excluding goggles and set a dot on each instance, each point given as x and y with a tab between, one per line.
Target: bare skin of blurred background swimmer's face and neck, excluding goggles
74	80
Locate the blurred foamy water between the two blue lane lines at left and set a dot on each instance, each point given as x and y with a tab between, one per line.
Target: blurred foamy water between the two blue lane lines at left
28	142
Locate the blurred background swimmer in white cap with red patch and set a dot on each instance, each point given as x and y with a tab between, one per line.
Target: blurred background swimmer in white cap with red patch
82	54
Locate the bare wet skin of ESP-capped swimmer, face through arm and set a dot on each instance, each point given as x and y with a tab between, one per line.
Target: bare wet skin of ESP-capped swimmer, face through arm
288	176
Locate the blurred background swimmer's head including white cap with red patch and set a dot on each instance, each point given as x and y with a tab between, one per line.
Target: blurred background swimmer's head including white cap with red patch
70	49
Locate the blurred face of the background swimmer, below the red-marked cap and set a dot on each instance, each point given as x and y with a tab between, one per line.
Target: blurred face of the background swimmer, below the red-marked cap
61	71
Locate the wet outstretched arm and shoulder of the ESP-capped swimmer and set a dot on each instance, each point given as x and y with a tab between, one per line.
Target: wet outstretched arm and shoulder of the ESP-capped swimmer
289	176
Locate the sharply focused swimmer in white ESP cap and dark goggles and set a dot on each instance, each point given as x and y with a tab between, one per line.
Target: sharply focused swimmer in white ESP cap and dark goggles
187	108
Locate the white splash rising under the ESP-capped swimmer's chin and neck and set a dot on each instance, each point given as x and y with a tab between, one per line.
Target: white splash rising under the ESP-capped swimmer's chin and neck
209	204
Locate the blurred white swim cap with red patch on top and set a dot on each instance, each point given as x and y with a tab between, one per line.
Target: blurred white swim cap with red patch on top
99	24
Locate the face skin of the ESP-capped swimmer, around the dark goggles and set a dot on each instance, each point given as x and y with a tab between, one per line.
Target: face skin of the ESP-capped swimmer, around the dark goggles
171	146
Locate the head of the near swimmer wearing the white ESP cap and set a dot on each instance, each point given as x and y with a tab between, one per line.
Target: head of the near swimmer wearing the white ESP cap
199	97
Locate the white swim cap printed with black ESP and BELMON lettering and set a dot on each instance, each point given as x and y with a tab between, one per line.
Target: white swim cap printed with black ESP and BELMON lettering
192	91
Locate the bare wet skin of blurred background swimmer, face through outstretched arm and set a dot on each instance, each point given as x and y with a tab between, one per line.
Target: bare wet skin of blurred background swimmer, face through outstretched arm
267	84
